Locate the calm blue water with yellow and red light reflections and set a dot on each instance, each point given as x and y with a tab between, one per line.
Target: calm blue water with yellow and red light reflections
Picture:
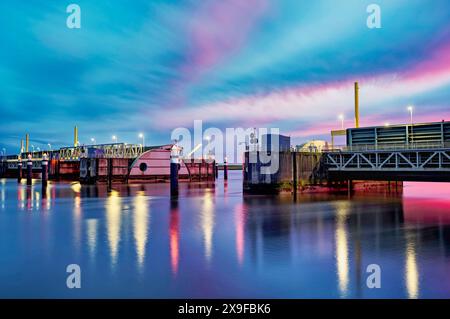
214	242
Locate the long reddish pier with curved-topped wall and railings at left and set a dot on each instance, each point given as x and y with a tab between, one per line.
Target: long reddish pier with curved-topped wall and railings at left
105	163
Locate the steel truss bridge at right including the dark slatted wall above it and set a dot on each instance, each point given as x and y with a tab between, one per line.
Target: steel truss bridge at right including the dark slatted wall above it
408	152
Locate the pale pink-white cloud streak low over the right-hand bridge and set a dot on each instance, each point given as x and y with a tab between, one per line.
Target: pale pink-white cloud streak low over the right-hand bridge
320	104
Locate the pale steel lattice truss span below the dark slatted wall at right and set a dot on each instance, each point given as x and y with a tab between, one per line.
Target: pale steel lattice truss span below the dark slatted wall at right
393	163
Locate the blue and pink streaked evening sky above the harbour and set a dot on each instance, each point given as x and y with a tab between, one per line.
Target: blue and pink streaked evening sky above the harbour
153	66
